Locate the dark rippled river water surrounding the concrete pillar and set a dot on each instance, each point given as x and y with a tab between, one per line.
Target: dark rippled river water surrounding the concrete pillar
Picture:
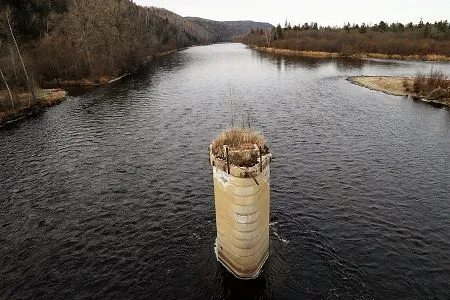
109	194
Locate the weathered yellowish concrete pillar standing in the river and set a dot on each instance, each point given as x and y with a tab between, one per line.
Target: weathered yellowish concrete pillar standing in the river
242	203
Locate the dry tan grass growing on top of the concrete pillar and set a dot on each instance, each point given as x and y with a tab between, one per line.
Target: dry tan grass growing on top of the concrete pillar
241	144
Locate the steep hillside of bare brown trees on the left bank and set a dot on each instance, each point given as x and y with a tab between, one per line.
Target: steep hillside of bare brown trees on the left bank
67	40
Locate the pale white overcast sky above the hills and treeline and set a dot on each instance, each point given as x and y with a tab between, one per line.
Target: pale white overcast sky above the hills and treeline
324	12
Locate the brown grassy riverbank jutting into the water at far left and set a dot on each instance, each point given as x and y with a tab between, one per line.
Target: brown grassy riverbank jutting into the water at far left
44	98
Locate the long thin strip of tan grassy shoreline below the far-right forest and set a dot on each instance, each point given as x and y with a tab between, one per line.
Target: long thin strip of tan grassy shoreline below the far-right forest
324	54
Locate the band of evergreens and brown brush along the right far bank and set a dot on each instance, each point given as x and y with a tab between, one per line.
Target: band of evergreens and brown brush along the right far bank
405	40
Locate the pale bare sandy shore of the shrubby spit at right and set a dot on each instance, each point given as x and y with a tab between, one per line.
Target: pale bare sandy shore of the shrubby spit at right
396	86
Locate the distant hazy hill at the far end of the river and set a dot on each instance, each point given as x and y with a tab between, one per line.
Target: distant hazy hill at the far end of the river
223	31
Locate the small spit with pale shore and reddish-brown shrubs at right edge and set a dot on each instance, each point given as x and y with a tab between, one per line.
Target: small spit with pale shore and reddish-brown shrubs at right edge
434	88
